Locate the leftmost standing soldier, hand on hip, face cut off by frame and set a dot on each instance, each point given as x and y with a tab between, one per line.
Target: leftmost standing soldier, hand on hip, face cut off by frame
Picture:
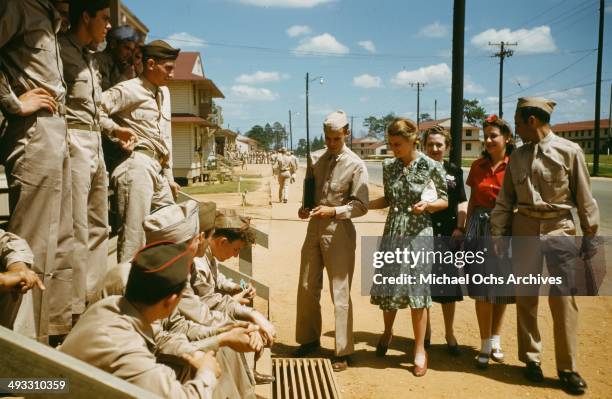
34	151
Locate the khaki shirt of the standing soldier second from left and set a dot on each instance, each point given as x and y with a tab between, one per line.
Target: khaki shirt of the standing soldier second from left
84	95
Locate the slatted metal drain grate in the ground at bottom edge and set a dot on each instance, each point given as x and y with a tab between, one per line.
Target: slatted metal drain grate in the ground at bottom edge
304	379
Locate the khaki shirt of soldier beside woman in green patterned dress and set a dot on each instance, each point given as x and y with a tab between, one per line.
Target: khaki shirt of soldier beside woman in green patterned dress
341	181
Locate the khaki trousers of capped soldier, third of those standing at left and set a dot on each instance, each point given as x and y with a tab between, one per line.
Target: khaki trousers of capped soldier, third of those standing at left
140	188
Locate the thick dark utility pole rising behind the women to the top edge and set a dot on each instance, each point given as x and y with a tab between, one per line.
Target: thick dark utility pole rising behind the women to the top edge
457	82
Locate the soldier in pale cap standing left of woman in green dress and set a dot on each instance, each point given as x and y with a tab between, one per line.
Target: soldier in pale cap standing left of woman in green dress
341	193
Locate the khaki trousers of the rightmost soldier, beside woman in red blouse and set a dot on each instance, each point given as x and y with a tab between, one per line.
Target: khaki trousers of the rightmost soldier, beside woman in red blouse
549	242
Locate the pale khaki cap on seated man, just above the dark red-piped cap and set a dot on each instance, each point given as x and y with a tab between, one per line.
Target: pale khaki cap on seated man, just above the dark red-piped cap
176	222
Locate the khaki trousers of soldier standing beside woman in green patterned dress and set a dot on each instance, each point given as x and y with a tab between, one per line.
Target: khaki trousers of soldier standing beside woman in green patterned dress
329	244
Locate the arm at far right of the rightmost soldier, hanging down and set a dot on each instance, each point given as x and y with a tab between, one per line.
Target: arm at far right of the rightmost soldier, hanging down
580	186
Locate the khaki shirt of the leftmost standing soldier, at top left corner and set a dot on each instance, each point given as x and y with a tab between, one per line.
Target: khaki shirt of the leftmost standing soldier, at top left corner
29	51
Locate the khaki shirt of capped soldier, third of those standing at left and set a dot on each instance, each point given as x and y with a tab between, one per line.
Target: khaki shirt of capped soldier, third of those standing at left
138	105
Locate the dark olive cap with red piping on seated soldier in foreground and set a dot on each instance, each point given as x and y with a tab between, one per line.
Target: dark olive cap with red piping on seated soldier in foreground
160	266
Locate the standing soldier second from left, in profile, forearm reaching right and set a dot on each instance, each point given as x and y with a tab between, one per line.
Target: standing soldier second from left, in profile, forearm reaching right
89	23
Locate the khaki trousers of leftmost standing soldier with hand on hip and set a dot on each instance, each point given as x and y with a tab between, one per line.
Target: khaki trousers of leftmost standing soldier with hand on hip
35	154
